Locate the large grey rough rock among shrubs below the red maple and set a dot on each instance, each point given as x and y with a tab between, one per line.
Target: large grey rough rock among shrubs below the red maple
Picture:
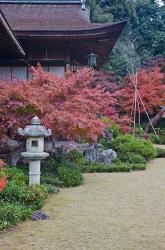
100	155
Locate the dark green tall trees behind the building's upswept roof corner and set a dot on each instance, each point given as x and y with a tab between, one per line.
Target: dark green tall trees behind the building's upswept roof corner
145	28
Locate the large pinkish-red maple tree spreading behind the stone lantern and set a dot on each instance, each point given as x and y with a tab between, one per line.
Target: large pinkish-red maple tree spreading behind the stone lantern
68	105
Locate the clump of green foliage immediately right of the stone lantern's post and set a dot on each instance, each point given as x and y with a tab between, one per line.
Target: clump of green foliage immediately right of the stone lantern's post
63	169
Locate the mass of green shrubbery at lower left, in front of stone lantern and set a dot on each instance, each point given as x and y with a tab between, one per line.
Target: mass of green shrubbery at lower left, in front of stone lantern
18	200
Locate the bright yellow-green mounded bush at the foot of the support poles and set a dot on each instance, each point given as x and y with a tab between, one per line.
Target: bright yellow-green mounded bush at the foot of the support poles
126	143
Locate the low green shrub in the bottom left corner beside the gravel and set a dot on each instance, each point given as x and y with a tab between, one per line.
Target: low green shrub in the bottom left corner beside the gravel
12	214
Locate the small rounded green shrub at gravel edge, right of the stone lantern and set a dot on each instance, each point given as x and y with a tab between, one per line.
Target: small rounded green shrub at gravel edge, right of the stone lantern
70	176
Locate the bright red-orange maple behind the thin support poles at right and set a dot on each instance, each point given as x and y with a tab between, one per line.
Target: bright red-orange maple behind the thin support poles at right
150	88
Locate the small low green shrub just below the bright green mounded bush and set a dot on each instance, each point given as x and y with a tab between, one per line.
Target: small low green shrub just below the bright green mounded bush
131	158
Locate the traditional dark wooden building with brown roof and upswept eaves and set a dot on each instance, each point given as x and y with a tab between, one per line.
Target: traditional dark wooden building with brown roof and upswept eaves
56	33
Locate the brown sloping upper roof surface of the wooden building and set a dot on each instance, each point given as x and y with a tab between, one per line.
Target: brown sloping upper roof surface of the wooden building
46	16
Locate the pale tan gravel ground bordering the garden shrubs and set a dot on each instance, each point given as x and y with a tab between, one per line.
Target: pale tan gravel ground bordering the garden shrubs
123	211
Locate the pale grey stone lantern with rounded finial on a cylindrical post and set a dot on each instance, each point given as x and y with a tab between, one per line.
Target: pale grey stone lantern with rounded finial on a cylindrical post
35	134
